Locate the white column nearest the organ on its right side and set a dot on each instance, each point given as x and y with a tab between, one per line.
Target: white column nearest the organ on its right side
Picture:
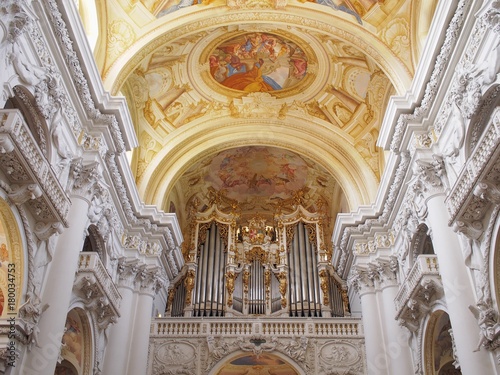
376	361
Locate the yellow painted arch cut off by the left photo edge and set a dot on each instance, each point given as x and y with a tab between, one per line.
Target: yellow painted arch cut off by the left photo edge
12	259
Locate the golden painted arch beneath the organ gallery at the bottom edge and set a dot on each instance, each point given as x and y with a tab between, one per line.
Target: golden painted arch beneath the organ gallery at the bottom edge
246	360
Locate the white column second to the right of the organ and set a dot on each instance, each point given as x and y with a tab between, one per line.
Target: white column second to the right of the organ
398	351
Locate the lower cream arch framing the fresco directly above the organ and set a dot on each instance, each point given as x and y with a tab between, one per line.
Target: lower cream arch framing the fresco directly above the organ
326	146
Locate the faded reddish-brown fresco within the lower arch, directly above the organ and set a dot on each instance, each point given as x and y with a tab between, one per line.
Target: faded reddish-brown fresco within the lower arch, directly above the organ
259	179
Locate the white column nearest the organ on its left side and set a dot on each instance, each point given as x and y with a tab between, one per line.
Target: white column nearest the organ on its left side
150	281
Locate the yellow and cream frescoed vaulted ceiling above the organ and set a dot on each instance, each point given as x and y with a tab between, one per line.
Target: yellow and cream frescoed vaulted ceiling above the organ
257	101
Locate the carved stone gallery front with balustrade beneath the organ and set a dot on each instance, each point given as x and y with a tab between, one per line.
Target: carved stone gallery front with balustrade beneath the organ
217	339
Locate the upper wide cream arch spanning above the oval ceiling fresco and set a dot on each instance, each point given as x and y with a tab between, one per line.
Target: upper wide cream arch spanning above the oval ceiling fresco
308	16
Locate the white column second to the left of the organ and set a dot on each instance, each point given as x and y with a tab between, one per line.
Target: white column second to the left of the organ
116	357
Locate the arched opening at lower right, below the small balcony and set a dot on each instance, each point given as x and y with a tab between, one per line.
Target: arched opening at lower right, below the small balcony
438	346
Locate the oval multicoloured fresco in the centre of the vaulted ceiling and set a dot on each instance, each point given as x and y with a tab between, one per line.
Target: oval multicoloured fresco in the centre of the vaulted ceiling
258	62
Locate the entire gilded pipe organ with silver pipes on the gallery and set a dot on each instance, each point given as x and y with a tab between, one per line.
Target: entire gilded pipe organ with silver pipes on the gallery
256	267
